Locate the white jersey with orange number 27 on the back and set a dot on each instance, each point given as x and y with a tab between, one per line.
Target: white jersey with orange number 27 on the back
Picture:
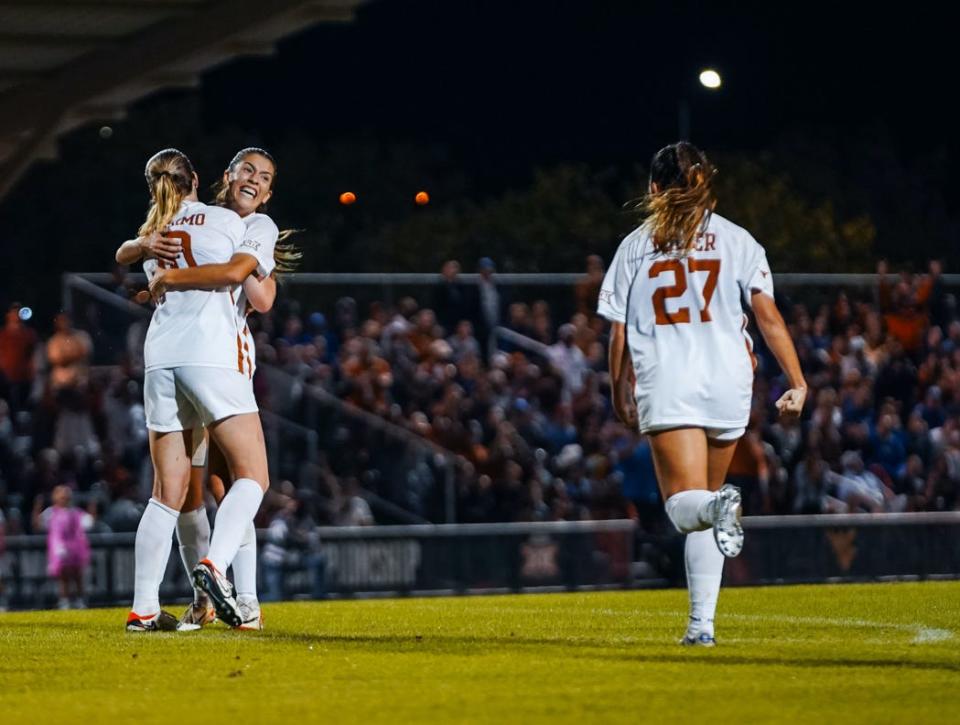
685	324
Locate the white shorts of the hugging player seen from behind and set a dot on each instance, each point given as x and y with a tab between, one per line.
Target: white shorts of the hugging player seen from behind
192	396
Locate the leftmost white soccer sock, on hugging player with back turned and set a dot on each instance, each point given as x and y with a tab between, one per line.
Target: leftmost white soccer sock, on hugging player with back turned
151	551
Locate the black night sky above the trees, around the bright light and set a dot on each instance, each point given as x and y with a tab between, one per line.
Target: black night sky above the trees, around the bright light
511	84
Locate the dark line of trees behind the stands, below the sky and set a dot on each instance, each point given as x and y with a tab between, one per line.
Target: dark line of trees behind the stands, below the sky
815	203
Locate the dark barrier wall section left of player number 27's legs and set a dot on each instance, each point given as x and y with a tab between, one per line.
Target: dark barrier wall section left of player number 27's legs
390	559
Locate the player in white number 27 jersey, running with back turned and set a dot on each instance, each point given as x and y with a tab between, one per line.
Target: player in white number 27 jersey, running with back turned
681	361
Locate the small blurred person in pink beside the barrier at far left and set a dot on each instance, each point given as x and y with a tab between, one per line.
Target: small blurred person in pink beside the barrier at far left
68	551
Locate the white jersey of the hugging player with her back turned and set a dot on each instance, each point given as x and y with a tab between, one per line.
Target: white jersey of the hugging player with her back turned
198	327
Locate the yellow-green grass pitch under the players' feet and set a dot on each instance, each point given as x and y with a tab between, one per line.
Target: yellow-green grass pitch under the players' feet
856	653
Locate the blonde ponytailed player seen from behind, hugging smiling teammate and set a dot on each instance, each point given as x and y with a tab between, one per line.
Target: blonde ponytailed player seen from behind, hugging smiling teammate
194	376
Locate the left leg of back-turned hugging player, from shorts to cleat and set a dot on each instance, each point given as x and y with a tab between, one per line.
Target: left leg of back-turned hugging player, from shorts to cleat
170	443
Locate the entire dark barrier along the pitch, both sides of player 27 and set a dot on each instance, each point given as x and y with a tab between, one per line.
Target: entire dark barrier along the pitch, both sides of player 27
465	558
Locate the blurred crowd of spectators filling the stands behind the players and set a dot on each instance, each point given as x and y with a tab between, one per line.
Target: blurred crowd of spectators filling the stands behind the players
526	412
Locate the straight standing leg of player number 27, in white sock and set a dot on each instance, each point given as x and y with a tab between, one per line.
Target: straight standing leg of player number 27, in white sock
702	557
